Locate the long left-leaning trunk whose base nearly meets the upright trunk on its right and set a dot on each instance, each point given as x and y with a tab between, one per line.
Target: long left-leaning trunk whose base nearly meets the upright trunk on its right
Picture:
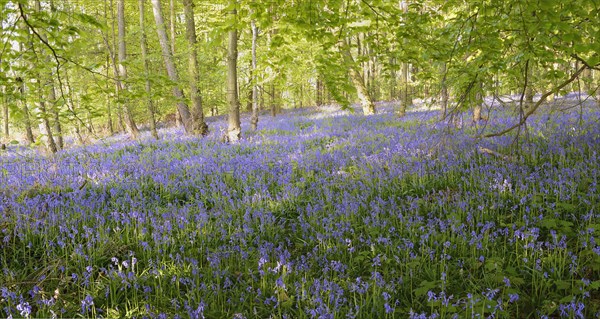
182	107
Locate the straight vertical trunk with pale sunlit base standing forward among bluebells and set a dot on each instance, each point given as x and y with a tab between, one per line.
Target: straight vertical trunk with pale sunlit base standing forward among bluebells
234	129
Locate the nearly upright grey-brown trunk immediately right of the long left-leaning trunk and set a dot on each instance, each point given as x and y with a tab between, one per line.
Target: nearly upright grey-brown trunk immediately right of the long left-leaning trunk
199	126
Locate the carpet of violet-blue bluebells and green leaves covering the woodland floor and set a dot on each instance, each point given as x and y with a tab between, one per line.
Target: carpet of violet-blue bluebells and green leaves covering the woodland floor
321	213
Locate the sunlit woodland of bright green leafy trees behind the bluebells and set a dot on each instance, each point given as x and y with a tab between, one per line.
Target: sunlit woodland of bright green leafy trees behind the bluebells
91	68
